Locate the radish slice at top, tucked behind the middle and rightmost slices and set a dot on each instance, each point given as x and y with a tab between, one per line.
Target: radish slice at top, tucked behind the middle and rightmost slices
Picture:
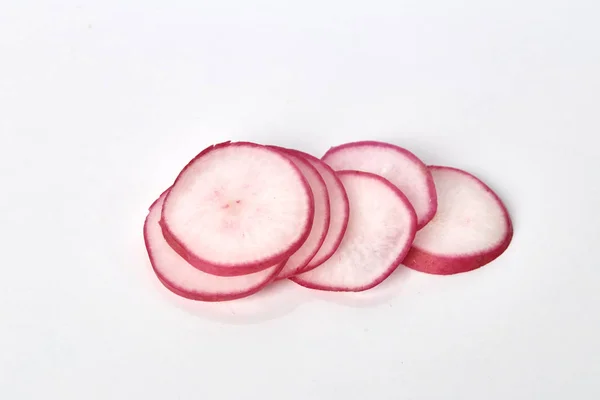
398	165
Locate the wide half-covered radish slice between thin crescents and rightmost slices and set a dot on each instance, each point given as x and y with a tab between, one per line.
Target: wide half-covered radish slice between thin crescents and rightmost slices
381	228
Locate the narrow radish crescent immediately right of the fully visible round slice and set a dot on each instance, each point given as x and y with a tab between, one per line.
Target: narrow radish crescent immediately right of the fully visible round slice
304	254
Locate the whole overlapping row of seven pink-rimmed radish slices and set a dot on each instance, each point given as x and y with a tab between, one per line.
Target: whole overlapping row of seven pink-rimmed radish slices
242	215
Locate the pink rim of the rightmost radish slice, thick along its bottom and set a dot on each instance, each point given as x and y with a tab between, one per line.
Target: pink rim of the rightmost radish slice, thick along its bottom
453	264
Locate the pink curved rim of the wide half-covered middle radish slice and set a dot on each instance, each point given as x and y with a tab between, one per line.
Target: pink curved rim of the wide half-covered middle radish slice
397	261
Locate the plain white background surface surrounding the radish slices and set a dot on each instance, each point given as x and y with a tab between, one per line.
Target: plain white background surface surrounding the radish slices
101	104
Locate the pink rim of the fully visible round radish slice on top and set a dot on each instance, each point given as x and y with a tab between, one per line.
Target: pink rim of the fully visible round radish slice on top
222	269
